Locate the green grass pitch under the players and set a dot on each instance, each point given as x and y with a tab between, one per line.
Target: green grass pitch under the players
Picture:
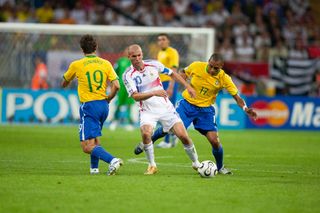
43	169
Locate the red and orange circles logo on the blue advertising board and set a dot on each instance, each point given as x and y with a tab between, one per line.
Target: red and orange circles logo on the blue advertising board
274	113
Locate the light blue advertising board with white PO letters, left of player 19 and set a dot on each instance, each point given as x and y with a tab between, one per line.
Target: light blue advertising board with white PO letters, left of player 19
43	106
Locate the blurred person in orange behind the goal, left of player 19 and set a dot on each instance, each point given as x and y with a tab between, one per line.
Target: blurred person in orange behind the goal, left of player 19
39	79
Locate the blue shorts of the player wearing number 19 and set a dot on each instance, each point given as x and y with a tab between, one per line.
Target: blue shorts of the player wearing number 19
92	116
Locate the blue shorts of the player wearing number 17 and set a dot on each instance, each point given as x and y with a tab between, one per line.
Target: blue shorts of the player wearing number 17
203	118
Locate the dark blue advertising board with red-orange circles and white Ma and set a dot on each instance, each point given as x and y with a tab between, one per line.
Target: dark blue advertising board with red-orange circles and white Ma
285	113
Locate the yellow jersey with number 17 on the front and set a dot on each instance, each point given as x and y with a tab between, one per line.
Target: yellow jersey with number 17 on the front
207	86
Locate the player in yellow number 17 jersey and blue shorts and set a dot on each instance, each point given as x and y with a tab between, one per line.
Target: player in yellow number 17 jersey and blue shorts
207	78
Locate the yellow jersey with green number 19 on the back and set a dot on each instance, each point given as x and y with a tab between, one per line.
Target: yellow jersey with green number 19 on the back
92	73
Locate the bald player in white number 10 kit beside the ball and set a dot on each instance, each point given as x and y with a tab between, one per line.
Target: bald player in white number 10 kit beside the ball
143	84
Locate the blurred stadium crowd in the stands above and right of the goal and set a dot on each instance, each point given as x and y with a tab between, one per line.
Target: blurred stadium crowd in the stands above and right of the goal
246	30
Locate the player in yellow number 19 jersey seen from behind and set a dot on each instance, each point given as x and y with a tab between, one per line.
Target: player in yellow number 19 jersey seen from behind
93	73
